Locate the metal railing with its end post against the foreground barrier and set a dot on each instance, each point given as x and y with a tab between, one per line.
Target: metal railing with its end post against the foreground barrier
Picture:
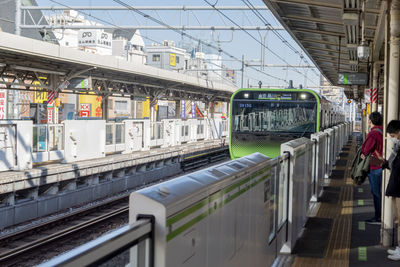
131	245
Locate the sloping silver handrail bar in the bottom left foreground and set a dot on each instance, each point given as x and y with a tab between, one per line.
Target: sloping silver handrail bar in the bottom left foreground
105	247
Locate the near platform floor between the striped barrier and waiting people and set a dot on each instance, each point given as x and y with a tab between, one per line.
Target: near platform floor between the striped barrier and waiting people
337	235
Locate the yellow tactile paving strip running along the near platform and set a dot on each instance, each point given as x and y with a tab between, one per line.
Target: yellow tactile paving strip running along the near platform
338	250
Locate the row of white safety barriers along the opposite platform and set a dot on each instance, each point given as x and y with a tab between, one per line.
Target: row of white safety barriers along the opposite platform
22	143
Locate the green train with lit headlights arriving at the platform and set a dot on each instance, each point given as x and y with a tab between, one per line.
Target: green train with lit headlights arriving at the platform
262	119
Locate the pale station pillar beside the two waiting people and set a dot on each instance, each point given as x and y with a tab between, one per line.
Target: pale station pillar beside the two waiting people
392	112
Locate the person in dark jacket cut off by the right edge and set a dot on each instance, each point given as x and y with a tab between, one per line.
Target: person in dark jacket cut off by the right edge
393	187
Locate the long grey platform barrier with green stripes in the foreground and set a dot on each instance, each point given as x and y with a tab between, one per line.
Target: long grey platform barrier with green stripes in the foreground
240	213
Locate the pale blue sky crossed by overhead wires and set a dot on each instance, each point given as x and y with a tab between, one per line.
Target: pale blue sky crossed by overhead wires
237	43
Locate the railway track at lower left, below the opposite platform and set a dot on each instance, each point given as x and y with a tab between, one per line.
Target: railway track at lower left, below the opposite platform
24	247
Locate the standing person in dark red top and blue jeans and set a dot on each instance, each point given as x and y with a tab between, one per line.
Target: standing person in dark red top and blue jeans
373	145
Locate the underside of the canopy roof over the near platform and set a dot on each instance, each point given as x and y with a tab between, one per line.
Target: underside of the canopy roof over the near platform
331	32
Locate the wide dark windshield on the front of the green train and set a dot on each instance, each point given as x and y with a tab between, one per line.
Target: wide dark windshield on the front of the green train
279	112
